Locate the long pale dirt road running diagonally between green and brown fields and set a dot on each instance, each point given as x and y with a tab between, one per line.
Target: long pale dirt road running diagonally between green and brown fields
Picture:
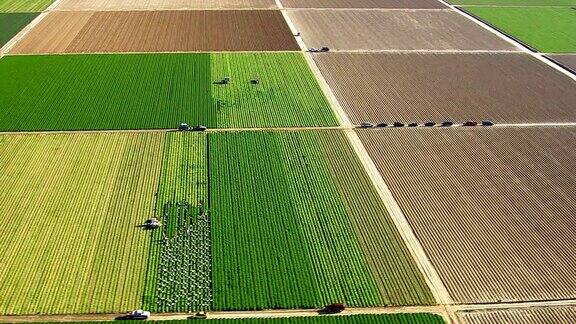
431	277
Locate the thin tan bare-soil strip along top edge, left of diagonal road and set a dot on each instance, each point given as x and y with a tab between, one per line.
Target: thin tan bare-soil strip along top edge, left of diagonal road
105	5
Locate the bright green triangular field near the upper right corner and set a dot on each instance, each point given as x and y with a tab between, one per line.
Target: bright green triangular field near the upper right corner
549	30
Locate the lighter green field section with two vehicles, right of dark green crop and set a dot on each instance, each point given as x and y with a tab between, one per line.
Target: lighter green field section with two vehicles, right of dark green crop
287	95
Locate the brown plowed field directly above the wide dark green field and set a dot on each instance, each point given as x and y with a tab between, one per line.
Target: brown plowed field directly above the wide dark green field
160	31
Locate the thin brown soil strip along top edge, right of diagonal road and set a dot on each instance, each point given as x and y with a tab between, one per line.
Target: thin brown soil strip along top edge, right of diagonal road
408	4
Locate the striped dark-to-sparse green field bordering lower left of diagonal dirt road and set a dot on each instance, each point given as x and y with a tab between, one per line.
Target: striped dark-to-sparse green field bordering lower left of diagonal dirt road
284	233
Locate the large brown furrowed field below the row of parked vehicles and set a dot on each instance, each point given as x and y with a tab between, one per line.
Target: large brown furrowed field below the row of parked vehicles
493	207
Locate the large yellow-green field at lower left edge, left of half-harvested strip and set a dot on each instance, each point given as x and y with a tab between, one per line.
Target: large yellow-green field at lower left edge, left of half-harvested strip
69	206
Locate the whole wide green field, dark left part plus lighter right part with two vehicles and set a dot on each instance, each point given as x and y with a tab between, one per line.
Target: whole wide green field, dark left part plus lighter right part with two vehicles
150	91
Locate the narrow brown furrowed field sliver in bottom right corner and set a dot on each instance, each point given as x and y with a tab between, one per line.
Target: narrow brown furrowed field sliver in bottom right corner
533	315
